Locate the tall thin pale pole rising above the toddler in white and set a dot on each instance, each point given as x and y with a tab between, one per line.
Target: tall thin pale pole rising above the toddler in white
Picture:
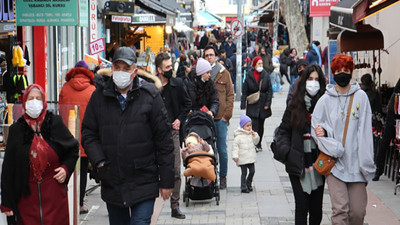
239	56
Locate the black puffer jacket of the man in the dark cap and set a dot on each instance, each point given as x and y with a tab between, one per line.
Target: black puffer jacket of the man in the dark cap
135	144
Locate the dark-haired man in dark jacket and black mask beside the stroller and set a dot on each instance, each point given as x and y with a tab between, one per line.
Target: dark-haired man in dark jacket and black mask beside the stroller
178	103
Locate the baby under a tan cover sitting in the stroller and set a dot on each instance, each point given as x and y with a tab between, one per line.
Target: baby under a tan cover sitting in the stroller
199	166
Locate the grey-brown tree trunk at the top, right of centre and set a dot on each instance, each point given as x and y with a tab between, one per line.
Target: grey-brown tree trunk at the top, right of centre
290	10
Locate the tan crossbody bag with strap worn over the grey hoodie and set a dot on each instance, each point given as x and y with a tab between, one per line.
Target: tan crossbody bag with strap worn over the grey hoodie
324	163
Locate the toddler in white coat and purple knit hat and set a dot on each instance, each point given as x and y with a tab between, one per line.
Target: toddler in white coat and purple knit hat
244	153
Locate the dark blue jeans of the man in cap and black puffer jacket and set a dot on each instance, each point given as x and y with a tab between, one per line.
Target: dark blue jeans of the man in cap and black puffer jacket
139	214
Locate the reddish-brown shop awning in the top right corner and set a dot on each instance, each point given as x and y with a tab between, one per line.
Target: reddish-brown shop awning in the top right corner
366	8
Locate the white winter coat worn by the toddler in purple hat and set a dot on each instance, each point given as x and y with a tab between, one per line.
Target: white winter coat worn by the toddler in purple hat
244	146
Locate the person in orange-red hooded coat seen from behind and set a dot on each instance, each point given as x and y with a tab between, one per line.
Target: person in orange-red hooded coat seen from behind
77	91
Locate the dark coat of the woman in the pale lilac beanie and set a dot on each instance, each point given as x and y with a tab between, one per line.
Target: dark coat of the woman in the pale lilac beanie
212	102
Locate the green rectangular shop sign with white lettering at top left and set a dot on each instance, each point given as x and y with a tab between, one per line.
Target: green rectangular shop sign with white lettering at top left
47	13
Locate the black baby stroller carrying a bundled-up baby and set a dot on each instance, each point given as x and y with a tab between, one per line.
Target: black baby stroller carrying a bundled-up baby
198	188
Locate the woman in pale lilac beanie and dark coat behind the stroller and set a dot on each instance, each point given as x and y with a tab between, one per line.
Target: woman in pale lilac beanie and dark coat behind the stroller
202	90
